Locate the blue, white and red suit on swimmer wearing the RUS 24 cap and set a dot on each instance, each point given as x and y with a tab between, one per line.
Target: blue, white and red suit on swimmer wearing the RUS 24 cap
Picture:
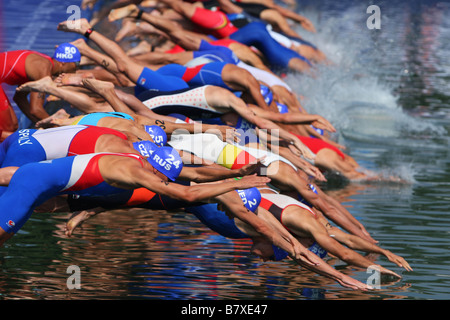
36	182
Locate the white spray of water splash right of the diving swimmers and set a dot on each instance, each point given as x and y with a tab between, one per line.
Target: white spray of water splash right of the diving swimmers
353	92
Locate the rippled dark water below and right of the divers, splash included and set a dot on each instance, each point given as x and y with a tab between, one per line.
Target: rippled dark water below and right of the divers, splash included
387	93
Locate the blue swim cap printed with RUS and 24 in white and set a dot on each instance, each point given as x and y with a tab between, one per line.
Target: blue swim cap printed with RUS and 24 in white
166	160
